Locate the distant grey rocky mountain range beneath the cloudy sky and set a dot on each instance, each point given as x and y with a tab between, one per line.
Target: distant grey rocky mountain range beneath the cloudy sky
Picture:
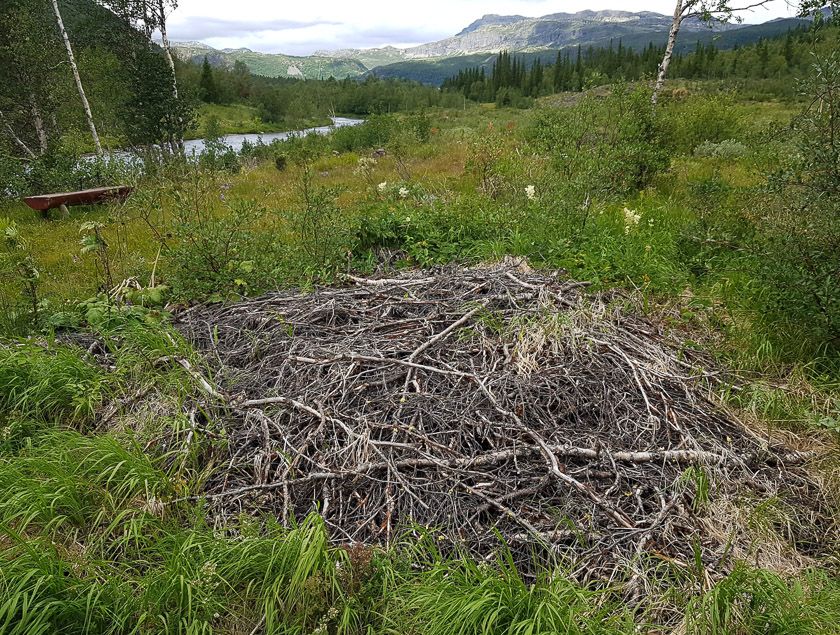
533	37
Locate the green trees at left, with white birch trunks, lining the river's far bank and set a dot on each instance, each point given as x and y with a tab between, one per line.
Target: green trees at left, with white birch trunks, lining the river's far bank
78	75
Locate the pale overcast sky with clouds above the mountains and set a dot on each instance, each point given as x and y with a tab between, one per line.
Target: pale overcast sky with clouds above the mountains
300	28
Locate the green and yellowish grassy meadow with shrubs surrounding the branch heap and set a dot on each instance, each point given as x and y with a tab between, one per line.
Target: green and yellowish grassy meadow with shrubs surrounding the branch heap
698	212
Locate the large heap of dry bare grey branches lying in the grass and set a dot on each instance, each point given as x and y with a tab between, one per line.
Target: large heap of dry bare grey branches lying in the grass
488	403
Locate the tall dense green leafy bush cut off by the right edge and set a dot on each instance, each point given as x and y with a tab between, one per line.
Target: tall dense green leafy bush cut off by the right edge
801	225
